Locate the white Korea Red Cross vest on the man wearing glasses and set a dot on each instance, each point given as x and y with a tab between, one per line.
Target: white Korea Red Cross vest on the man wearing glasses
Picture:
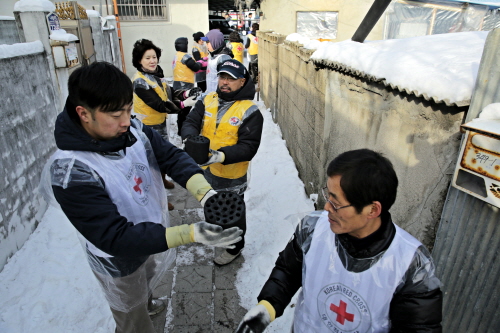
336	300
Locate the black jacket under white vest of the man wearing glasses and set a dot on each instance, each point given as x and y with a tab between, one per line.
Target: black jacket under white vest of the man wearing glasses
416	306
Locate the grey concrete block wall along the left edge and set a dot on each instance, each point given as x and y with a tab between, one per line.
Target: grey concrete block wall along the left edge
28	111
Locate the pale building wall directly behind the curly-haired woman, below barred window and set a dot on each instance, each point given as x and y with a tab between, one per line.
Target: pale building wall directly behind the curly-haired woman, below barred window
186	18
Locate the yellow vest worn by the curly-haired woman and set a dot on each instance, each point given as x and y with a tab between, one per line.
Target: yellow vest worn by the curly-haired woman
151	116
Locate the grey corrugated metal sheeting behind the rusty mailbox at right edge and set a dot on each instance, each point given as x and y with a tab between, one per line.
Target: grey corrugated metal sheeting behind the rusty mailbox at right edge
467	246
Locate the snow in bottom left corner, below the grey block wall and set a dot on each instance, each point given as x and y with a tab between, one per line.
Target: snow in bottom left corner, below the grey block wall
47	286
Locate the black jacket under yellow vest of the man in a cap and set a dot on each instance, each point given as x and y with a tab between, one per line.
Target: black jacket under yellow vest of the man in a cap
249	132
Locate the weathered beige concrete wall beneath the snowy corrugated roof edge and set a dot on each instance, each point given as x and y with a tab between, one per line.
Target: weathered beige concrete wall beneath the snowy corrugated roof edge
324	112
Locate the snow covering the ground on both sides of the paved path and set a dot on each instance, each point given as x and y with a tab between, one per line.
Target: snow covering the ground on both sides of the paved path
47	286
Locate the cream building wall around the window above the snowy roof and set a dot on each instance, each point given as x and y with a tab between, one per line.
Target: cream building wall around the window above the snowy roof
281	16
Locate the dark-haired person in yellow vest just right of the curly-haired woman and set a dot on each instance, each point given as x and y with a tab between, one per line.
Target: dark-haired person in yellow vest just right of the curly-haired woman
185	66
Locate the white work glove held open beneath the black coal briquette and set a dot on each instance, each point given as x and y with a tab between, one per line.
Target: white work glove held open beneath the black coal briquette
211	234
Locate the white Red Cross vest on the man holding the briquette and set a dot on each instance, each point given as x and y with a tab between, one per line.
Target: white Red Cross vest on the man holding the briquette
133	183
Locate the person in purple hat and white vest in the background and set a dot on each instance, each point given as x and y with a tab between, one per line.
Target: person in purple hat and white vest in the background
218	53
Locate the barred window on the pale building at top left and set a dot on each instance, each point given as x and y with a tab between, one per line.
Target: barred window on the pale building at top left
133	10
